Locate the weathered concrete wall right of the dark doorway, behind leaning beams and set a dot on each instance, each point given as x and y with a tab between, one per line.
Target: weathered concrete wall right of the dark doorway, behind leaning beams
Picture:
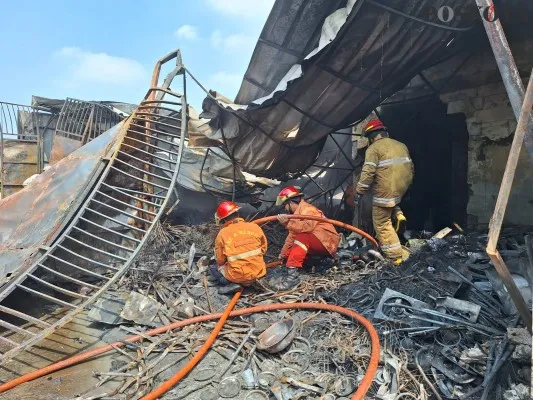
491	125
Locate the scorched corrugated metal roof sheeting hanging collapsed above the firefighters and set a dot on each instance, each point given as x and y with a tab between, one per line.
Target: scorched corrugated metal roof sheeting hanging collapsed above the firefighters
371	55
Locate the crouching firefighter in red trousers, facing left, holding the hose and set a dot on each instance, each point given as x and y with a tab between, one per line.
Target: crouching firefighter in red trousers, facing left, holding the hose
306	238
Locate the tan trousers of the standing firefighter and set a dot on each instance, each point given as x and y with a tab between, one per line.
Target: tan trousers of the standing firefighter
386	235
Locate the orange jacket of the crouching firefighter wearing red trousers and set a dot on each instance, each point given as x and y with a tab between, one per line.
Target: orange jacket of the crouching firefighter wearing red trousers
323	231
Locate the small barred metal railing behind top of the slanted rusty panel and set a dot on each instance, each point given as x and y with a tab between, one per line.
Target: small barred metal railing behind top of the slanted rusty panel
85	120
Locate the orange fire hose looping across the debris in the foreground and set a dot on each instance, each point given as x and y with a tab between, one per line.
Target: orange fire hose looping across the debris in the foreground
358	395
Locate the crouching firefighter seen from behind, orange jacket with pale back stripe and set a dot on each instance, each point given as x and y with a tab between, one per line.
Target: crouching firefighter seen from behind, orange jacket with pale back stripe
239	250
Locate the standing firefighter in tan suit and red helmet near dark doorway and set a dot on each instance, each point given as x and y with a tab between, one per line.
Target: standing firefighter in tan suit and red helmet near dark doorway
390	169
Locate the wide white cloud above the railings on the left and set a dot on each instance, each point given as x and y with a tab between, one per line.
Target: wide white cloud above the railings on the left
86	67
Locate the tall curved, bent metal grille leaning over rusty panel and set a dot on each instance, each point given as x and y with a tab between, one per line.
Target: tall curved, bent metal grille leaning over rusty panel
108	231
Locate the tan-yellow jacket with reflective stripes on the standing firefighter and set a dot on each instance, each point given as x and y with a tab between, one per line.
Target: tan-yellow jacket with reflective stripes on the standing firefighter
389	167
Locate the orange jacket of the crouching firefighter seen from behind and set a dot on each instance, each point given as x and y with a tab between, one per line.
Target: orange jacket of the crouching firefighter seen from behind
239	250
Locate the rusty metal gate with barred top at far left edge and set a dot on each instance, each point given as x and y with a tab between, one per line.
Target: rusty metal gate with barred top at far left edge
19	129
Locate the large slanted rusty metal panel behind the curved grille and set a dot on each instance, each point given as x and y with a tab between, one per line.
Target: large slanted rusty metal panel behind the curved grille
34	216
